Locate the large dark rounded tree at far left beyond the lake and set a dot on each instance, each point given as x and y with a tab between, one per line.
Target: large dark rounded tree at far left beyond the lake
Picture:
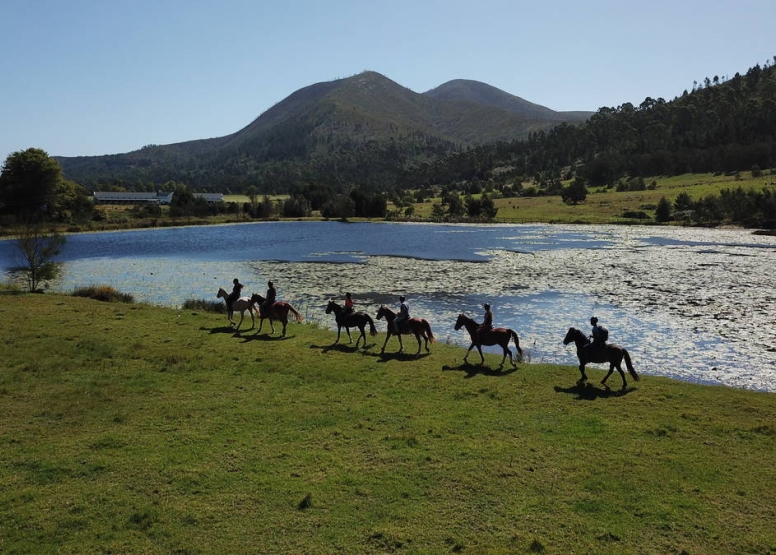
28	184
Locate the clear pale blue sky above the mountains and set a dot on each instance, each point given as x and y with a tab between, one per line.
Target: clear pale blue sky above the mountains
91	77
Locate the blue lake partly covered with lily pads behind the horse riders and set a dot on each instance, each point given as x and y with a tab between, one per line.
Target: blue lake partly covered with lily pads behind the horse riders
694	304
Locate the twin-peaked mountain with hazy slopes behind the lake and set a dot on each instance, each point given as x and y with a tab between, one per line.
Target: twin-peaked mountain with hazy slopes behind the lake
361	130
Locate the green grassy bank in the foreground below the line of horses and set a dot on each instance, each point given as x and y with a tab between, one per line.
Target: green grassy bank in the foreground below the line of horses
130	428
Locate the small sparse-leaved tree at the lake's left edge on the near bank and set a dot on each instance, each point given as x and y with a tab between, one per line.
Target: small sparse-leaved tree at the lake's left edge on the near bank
37	248
